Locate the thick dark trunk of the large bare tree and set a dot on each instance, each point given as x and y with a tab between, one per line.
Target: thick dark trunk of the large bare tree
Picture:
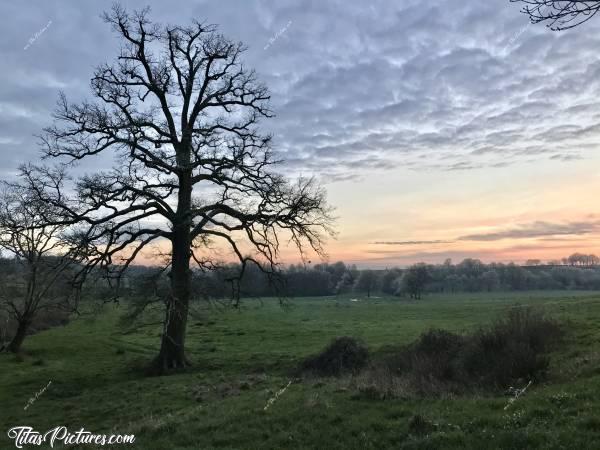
172	349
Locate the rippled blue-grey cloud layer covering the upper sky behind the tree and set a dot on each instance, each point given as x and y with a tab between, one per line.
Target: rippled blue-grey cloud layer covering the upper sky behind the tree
357	86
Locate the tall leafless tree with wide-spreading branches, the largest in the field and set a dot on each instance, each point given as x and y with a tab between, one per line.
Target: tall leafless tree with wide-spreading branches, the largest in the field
179	112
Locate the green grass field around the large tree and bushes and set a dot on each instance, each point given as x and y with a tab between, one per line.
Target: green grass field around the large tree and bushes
241	358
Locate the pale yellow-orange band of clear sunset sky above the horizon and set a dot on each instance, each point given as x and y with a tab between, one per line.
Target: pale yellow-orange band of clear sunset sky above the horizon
507	214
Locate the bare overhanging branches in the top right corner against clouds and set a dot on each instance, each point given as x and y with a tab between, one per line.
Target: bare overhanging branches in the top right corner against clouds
558	14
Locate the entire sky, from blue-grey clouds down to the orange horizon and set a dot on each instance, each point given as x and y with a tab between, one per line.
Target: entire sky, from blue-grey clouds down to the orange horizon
440	129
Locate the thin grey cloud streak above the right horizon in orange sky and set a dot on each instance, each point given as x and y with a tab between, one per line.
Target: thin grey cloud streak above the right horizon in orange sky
538	229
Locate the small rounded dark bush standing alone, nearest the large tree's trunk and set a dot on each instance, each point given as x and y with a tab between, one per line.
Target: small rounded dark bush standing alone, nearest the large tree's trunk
344	355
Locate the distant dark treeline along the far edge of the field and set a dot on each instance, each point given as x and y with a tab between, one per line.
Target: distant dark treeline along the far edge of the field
470	275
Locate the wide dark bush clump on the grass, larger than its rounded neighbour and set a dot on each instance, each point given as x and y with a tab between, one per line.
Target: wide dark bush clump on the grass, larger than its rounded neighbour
511	350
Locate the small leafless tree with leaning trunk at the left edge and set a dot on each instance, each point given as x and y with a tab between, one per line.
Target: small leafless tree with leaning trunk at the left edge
44	255
